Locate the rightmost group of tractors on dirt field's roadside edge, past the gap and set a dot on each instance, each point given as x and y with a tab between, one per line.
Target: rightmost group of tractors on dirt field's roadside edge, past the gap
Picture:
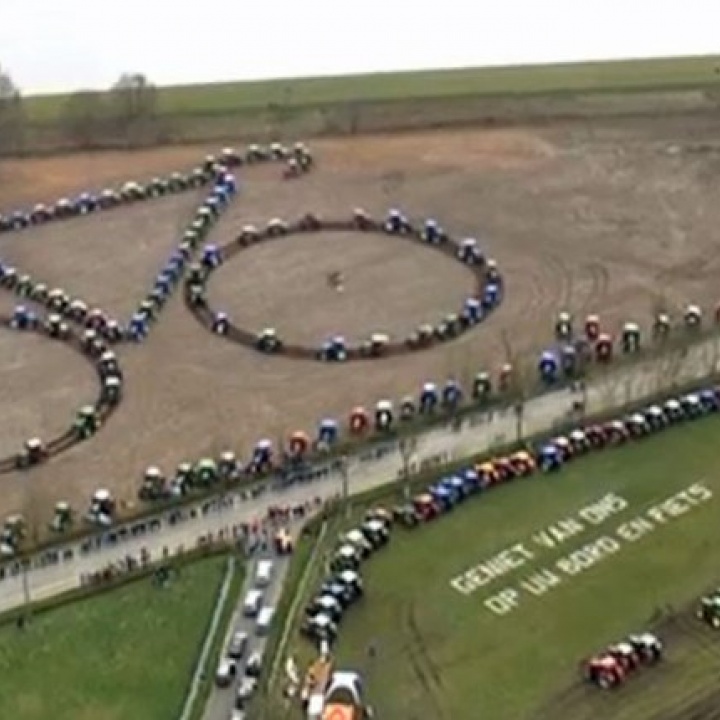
575	348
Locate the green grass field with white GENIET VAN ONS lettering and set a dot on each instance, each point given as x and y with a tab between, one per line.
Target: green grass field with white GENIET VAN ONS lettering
449	654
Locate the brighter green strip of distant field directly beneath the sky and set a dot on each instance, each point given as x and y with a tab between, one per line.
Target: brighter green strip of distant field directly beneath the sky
232	98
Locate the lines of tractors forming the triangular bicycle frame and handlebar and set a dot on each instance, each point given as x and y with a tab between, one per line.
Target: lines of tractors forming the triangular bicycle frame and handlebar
214	171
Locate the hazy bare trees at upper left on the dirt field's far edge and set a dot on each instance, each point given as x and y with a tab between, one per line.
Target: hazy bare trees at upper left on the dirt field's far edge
127	113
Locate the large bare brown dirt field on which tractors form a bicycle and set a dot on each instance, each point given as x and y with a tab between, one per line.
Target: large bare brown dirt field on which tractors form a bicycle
592	216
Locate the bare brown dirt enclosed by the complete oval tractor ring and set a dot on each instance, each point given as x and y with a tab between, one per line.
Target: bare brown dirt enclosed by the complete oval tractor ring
396	273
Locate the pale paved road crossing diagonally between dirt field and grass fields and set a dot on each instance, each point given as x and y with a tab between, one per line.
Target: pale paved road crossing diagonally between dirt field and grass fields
367	470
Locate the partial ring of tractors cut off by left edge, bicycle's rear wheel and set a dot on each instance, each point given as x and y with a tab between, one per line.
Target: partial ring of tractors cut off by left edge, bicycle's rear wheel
89	418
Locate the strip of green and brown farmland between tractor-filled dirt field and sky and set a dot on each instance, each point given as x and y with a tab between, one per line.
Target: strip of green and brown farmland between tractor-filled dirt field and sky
383	102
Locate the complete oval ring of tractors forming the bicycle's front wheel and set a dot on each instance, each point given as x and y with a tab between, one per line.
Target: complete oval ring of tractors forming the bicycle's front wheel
487	295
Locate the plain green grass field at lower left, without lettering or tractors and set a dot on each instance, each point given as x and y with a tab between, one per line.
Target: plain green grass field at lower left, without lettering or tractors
123	655
